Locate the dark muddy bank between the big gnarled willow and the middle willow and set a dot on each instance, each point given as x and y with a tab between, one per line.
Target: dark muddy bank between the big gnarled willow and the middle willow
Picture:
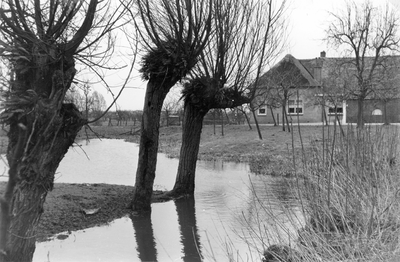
68	207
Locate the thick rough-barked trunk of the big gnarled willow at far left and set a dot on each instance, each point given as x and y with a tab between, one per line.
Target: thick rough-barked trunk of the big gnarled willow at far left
36	174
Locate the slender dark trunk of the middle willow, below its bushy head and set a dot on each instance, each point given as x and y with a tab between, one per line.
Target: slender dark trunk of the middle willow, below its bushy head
148	148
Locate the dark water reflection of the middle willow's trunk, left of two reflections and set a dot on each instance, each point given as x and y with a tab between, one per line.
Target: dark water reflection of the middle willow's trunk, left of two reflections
146	244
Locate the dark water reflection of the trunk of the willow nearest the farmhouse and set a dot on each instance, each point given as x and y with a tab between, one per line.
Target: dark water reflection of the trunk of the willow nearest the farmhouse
190	239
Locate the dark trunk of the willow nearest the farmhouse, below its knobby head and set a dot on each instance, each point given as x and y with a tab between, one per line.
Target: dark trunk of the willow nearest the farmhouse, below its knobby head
191	135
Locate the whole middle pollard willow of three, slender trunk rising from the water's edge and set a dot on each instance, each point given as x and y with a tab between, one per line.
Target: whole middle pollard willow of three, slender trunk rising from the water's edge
173	35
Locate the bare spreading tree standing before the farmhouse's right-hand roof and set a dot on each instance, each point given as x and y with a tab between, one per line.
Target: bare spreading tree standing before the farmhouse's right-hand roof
368	34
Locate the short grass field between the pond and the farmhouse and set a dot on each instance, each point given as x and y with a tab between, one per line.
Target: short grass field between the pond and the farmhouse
271	155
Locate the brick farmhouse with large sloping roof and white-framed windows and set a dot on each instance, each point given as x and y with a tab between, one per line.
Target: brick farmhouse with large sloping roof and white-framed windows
320	90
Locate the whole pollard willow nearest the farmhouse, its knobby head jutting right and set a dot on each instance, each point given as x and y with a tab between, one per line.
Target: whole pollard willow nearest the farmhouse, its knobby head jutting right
247	35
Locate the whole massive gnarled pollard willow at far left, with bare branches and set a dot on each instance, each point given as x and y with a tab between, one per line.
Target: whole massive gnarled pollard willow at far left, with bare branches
39	43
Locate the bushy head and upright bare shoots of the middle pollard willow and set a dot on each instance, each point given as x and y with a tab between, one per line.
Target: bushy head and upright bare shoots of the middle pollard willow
173	34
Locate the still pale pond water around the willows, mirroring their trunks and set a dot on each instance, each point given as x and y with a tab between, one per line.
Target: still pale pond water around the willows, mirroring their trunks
222	218
